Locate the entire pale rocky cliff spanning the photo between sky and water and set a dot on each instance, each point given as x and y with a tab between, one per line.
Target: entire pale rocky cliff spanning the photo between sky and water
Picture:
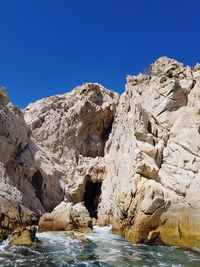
130	161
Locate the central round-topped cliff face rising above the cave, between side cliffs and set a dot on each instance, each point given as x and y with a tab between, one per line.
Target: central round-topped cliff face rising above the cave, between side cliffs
72	130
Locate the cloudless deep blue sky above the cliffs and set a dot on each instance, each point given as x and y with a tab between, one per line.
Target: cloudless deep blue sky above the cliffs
48	47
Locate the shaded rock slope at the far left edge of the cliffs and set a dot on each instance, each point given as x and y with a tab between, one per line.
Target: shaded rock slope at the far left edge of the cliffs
17	165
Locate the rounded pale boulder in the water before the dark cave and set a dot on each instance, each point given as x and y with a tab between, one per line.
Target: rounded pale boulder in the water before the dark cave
66	216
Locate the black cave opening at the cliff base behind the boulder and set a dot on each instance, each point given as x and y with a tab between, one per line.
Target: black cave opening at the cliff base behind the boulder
91	197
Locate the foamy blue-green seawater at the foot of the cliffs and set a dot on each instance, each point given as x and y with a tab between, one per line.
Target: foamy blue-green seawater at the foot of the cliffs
105	249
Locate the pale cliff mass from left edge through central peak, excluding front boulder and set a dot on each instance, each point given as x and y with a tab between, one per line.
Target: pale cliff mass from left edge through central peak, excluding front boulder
52	155
